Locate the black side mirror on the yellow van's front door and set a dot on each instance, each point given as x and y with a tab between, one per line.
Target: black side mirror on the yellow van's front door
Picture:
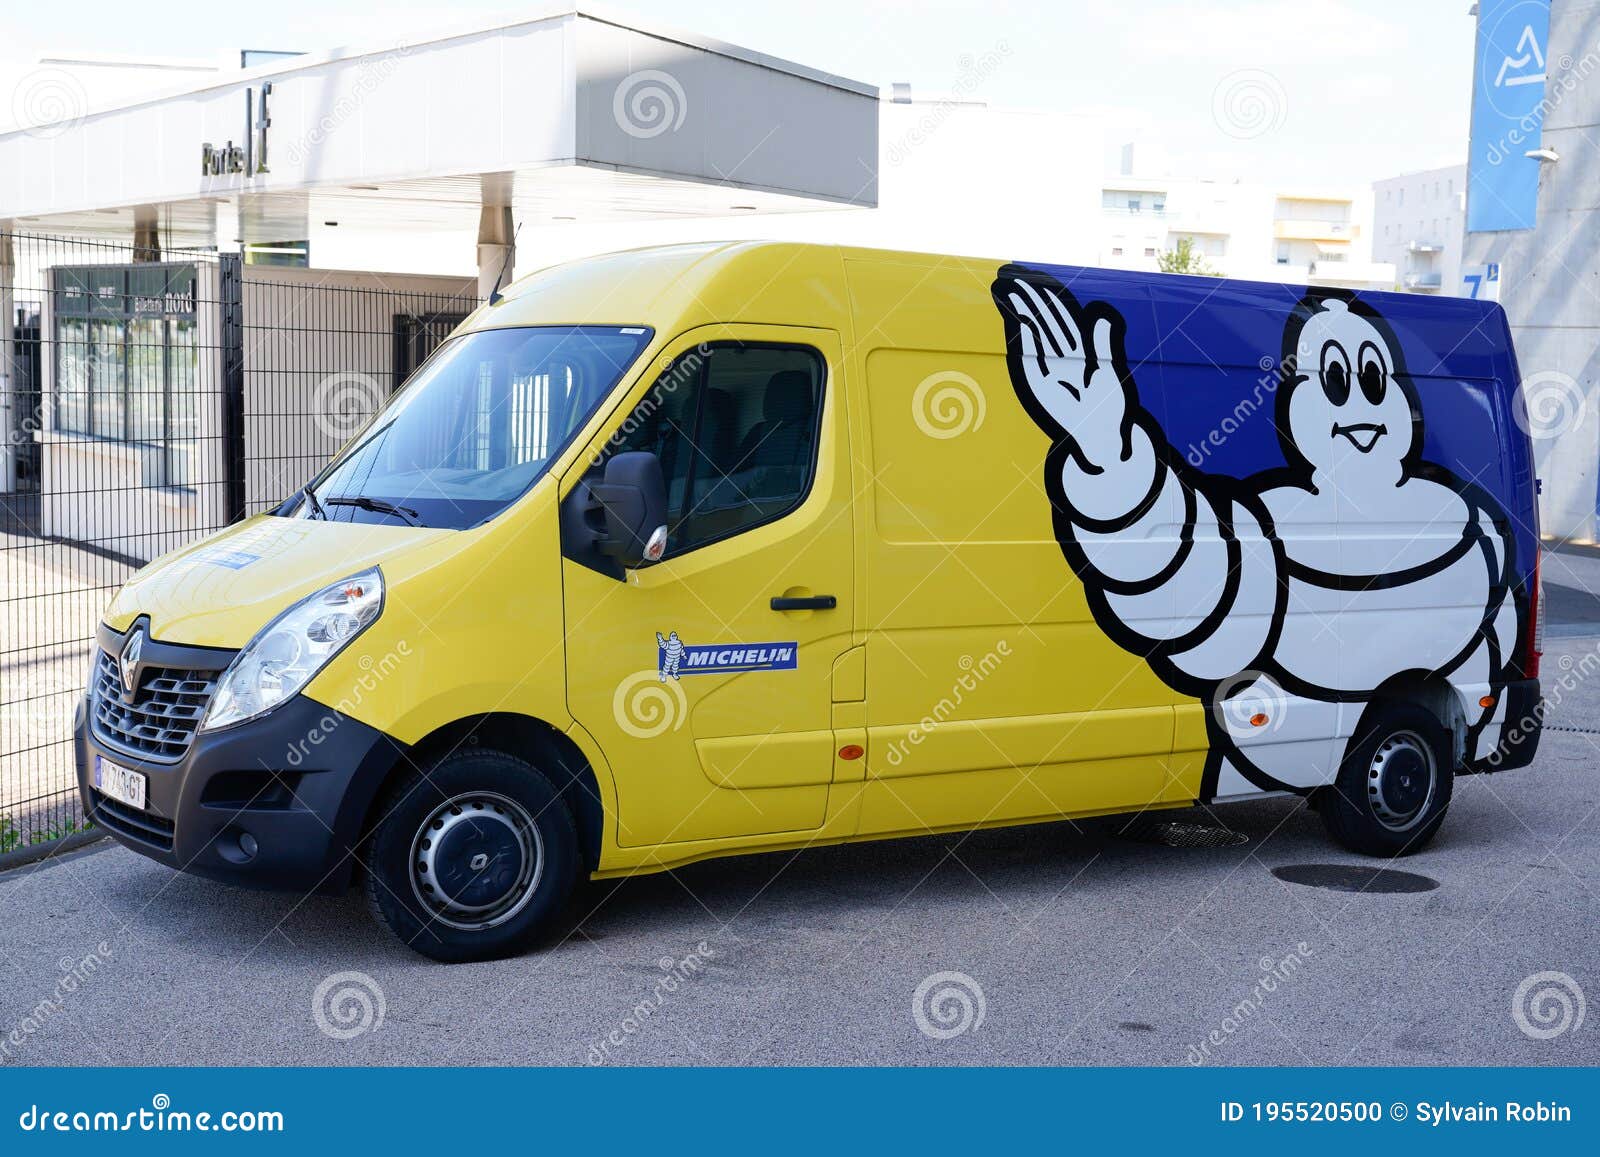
620	521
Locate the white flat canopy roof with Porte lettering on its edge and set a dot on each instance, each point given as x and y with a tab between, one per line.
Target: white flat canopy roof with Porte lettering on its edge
562	116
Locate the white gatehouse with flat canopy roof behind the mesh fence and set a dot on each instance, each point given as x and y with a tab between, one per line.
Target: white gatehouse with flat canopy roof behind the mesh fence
396	161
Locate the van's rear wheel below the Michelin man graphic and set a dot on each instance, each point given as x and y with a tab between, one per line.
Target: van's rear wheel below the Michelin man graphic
1394	785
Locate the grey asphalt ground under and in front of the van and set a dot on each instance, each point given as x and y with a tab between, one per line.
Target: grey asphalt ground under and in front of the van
1073	947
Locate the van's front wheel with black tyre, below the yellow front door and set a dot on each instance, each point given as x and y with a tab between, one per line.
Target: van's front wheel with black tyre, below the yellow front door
473	857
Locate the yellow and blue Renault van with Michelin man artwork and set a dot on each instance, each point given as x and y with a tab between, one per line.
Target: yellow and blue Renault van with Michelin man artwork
729	548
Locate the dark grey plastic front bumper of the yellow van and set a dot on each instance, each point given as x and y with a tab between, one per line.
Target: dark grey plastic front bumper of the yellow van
276	803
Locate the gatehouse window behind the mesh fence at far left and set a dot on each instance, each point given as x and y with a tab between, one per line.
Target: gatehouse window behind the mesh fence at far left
127	362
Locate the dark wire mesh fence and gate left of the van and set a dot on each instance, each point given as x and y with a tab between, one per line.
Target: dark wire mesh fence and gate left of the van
146	401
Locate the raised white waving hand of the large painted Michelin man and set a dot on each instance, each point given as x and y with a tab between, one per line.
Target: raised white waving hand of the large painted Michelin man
1073	367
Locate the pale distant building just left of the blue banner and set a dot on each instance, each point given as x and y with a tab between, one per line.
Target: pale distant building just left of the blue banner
1418	222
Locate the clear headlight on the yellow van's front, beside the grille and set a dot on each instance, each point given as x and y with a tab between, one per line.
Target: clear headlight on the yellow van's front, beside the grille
294	647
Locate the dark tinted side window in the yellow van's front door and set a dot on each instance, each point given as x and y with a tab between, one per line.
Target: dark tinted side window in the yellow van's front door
735	426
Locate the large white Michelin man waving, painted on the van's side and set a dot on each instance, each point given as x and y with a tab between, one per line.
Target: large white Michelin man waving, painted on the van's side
1244	593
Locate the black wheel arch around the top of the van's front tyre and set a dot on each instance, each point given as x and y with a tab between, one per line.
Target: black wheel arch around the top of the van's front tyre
532	740
